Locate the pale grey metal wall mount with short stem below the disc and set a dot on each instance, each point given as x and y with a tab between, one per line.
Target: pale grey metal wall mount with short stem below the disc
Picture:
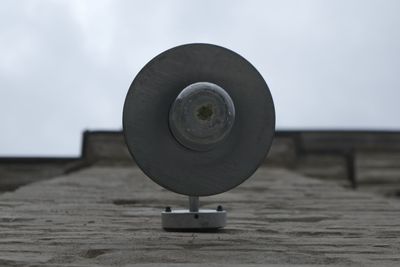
193	218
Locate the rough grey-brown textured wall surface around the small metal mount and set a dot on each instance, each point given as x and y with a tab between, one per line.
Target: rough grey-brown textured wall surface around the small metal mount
109	216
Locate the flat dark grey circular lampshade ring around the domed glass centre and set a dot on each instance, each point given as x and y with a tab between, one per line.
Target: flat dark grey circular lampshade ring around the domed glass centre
156	150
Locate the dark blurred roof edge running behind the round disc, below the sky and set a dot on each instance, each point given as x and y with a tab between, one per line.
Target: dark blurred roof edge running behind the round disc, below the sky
353	158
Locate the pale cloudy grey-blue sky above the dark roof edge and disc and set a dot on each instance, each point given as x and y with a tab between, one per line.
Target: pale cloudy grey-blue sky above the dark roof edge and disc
65	66
